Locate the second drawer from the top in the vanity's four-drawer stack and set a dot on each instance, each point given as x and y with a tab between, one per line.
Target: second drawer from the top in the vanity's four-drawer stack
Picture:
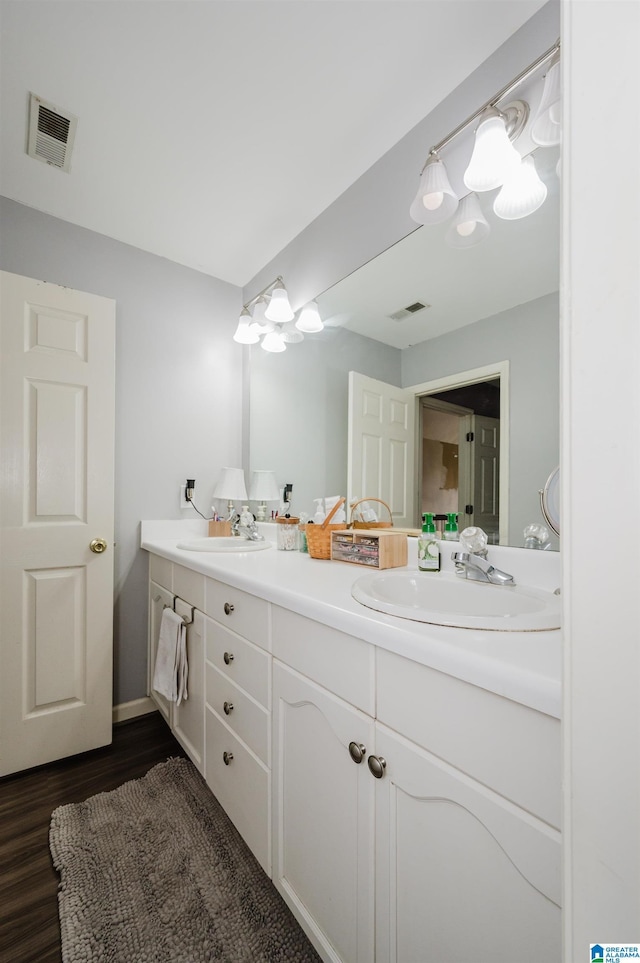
241	661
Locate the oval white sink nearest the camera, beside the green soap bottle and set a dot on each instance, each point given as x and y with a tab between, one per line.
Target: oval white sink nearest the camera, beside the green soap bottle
443	599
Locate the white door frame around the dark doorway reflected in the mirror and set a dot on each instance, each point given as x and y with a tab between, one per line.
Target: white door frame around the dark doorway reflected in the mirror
499	369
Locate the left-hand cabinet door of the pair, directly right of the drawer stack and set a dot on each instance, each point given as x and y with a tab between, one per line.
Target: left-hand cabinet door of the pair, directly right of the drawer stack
323	816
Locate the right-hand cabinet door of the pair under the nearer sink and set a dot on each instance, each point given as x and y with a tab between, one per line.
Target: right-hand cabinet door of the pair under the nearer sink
462	874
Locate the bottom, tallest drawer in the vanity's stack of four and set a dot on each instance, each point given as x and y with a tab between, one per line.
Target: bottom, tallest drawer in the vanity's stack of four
242	787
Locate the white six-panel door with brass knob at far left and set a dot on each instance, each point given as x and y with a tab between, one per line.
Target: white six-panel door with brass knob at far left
57	355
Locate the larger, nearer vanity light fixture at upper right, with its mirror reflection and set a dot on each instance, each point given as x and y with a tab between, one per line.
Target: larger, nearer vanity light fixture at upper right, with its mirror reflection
495	162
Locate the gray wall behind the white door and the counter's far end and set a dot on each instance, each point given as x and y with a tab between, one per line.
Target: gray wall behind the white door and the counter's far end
178	390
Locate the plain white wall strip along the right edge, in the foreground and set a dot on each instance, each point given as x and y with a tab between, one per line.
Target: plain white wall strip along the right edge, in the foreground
600	311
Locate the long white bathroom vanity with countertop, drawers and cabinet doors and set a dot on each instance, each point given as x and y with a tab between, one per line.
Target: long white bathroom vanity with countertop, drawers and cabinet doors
399	781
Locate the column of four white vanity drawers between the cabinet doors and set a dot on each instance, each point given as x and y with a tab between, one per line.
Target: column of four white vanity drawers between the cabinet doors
238	712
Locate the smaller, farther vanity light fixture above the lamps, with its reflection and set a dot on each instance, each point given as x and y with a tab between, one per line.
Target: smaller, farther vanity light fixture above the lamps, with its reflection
269	316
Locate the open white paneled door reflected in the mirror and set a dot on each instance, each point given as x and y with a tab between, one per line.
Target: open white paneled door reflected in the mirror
381	446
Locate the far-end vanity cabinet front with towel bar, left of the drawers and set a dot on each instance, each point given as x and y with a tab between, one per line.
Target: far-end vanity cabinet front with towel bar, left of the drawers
168	582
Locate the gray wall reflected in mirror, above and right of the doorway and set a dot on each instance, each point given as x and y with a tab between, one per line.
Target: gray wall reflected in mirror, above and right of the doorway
528	337
